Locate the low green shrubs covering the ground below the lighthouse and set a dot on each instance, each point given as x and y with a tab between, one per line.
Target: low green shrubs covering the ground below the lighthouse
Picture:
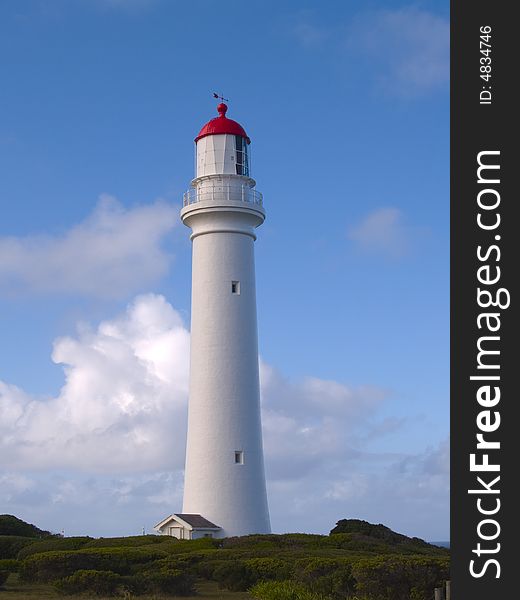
357	560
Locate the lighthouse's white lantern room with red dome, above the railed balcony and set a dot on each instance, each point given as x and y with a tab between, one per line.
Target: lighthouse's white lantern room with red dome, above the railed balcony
222	147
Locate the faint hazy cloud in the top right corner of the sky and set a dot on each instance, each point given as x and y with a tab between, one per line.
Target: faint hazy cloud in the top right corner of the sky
405	50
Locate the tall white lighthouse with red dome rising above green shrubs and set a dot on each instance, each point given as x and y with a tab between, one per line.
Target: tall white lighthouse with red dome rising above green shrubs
224	477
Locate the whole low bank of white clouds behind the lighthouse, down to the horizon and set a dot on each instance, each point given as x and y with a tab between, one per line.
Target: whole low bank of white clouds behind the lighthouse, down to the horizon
111	443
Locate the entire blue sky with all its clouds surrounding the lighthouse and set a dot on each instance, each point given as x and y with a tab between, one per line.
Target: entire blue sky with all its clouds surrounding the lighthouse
346	104
